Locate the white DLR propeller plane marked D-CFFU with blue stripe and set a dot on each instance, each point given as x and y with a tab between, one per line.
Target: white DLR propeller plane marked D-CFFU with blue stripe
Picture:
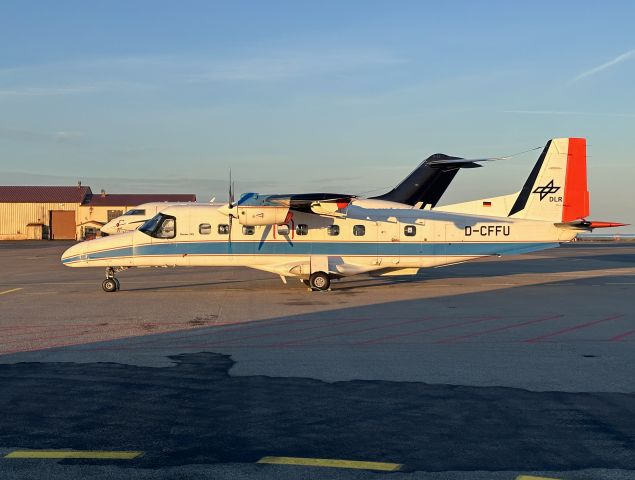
321	237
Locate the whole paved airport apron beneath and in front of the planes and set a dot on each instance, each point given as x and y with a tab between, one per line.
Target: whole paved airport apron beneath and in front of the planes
487	370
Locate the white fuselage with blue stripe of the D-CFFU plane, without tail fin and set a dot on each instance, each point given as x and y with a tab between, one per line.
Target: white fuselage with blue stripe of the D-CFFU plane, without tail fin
386	240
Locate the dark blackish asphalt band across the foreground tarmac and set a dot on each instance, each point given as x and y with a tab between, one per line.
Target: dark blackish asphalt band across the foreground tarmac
196	413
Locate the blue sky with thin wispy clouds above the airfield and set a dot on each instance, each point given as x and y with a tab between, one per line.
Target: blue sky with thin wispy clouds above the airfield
299	96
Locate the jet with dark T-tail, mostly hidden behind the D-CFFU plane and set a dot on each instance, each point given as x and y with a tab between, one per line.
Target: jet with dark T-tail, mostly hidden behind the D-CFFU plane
424	186
